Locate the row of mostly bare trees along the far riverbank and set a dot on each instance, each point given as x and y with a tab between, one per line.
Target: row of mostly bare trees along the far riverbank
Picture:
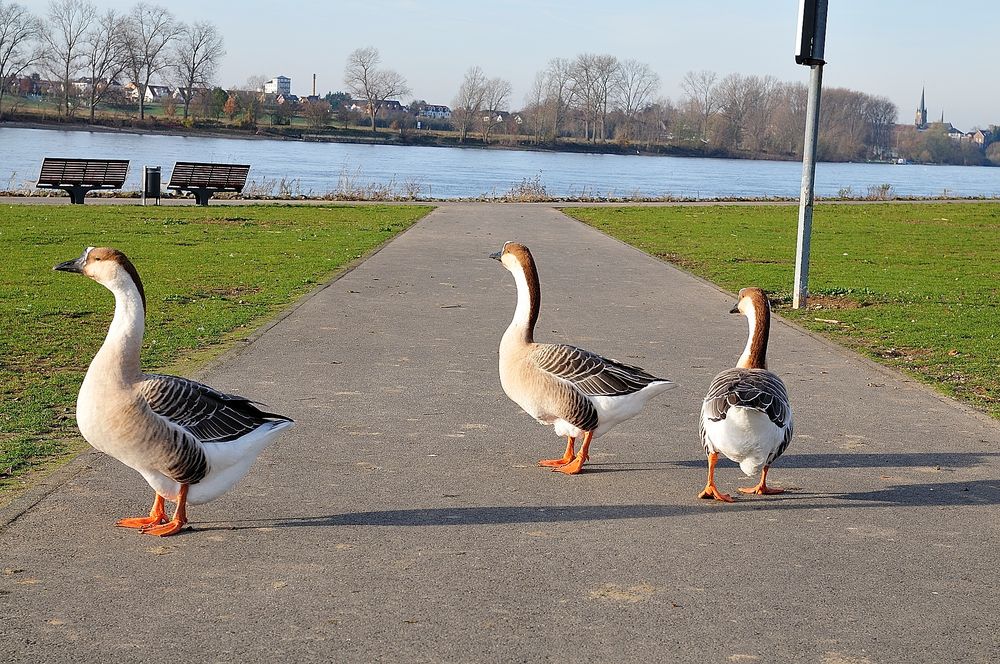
590	99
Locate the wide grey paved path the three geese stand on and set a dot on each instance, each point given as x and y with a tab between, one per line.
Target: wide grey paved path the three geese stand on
404	520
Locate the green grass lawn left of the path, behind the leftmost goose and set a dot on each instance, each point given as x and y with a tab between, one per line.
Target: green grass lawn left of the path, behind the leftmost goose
211	275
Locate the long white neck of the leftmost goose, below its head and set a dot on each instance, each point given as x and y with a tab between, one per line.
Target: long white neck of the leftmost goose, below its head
118	358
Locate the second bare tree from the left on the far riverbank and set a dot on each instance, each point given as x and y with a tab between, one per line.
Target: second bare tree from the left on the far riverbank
65	36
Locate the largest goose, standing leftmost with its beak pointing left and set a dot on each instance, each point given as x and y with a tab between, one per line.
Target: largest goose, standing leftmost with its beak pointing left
190	442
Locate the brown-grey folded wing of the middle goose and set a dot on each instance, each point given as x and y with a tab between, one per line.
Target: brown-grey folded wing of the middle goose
590	373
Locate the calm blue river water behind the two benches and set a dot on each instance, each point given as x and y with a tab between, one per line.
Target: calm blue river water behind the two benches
316	169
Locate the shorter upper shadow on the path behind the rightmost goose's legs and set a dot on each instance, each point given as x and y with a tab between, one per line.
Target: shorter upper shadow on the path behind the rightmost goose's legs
868	460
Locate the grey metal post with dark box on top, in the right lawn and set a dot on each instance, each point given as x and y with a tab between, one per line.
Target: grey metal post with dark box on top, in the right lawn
809	51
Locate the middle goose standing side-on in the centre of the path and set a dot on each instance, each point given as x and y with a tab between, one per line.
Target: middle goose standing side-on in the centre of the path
579	393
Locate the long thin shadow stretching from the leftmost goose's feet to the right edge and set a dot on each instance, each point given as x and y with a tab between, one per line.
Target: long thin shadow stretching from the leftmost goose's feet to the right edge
931	494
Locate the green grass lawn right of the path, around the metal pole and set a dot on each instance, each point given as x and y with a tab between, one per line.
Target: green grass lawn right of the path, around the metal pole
914	286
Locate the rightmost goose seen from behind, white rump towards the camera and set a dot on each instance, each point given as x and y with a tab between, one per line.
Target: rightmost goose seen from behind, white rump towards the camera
746	414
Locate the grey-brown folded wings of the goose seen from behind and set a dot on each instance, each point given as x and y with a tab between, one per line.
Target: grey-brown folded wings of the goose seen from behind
756	389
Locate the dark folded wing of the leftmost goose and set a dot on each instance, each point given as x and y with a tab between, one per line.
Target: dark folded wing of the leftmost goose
209	415
